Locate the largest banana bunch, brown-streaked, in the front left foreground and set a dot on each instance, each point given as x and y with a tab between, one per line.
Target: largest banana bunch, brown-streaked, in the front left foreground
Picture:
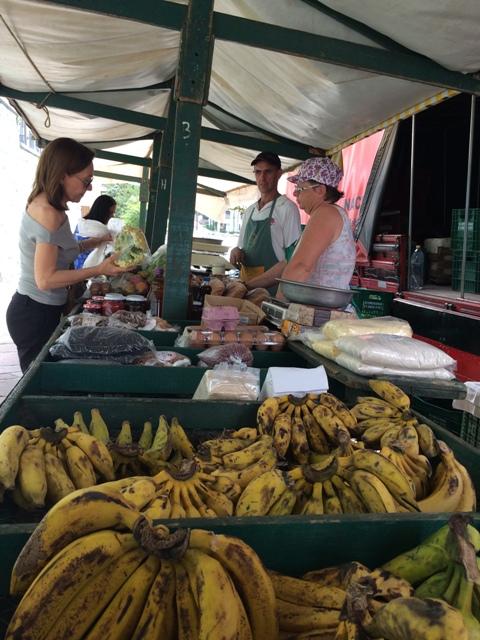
102	571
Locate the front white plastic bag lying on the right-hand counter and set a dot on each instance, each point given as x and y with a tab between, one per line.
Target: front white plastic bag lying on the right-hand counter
397	352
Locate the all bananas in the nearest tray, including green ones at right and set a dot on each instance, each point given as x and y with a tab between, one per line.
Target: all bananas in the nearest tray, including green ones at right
95	567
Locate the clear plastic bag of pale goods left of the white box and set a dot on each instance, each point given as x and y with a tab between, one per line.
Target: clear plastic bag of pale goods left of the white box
229	382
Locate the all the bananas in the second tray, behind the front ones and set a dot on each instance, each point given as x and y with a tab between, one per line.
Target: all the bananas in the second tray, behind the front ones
310	455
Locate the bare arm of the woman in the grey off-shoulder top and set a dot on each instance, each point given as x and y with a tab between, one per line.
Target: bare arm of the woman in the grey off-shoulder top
48	277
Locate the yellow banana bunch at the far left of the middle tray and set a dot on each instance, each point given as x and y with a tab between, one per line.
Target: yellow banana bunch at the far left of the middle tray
44	465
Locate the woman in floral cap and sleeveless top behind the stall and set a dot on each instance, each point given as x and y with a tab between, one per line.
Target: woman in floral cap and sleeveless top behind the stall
325	254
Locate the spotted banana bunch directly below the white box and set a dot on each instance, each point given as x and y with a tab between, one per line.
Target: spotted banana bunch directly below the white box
302	426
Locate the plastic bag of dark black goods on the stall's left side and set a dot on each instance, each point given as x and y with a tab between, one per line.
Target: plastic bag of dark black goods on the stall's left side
120	345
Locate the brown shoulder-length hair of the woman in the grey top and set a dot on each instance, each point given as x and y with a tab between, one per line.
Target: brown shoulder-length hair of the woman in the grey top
61	156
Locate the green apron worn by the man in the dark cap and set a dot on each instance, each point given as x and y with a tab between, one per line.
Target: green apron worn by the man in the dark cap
259	253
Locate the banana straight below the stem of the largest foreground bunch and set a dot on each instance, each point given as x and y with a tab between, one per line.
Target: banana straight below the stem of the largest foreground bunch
158	618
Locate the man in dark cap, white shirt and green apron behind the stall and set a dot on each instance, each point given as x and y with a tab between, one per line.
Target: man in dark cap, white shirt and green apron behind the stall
270	226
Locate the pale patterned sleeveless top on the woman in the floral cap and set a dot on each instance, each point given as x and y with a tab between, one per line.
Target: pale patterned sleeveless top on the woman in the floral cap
335	266
